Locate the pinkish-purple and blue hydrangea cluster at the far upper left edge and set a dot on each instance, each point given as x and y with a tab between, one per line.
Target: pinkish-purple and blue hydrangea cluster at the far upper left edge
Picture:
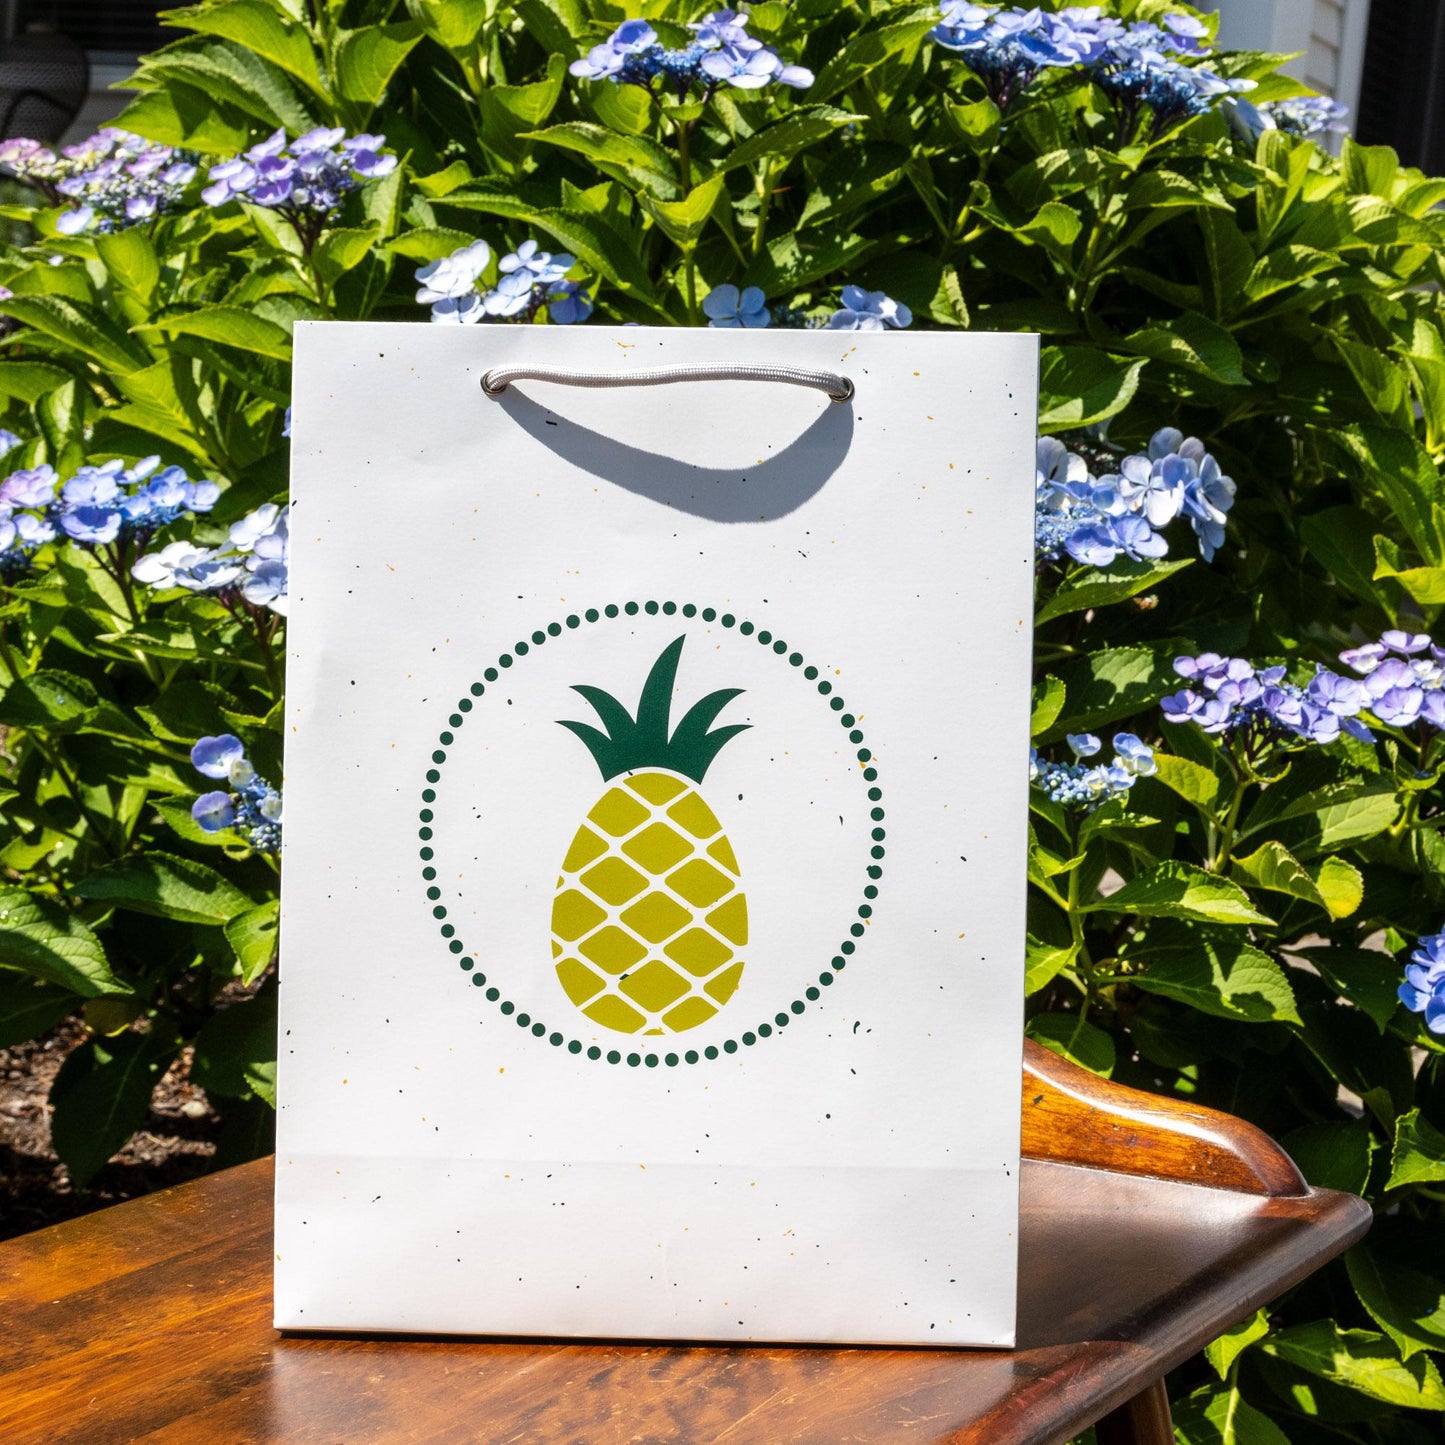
113	180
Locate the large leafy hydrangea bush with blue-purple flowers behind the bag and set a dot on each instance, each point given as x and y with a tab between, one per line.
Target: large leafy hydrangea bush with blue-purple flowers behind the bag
1238	874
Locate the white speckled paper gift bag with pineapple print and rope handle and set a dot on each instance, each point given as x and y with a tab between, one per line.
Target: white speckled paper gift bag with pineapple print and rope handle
655	856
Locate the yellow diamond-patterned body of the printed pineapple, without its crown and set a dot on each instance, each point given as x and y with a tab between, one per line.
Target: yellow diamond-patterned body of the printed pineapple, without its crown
650	918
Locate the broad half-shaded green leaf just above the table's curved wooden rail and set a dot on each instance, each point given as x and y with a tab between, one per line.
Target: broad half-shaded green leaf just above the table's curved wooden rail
1219	975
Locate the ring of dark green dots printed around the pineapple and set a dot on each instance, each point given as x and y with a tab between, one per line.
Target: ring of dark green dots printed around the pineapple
837	706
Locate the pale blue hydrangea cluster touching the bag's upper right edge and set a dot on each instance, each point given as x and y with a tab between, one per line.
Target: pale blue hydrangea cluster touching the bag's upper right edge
1095	519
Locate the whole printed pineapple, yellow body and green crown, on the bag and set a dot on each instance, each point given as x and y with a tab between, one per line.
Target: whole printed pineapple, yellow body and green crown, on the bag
650	915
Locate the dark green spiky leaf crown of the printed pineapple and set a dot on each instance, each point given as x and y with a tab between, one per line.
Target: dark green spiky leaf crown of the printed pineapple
628	745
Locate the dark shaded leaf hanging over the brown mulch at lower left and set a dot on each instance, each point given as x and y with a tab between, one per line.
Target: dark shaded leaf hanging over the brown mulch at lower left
102	1097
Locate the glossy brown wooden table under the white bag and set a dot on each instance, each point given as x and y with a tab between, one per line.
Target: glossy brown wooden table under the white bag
151	1321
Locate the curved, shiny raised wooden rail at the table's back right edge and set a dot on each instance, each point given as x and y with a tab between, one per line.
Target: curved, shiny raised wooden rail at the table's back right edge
1076	1118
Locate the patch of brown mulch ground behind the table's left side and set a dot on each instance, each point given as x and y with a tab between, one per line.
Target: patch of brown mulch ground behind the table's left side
178	1141
